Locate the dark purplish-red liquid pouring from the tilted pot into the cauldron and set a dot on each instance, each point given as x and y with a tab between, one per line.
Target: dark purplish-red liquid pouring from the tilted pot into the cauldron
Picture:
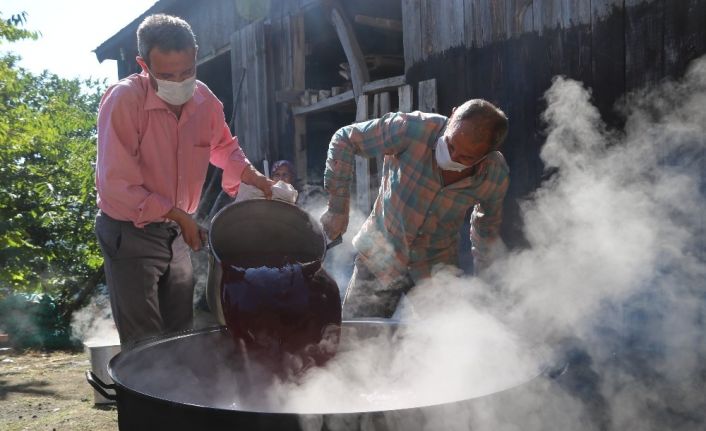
281	311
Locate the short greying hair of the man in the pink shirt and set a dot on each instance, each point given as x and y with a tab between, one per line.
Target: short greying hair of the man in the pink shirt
166	32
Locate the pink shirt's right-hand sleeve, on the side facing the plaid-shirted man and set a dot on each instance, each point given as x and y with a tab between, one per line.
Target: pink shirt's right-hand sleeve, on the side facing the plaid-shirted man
226	152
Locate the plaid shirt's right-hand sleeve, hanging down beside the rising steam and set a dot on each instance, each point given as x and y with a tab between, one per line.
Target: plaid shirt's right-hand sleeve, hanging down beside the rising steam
487	214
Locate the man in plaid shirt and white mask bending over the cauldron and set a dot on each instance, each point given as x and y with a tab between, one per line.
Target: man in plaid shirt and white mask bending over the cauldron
435	169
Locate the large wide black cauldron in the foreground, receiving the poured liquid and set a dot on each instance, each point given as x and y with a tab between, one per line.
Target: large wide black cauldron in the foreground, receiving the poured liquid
201	381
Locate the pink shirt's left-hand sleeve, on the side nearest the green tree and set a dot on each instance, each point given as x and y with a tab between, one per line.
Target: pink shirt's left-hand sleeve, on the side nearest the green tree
118	175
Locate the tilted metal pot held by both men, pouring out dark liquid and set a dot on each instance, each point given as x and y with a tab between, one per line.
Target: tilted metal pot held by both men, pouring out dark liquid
259	227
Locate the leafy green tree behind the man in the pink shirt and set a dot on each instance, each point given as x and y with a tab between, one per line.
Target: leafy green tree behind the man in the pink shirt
47	199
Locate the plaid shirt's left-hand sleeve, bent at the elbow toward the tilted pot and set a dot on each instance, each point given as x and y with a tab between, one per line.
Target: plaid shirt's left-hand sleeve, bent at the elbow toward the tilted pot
386	135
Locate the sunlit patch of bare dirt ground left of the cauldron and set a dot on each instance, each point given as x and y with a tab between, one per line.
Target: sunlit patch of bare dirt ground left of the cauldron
48	391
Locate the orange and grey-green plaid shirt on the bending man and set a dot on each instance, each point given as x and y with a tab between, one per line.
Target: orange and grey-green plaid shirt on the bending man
415	221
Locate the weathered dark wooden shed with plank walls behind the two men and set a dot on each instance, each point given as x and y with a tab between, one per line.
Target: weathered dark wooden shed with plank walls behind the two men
291	72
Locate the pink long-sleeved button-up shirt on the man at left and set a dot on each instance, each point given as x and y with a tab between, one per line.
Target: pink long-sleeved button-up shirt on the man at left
150	161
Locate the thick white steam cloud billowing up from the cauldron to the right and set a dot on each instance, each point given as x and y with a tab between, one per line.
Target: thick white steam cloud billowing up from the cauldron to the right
610	290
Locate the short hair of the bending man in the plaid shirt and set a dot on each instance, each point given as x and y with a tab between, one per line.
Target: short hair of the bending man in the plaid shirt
486	115
